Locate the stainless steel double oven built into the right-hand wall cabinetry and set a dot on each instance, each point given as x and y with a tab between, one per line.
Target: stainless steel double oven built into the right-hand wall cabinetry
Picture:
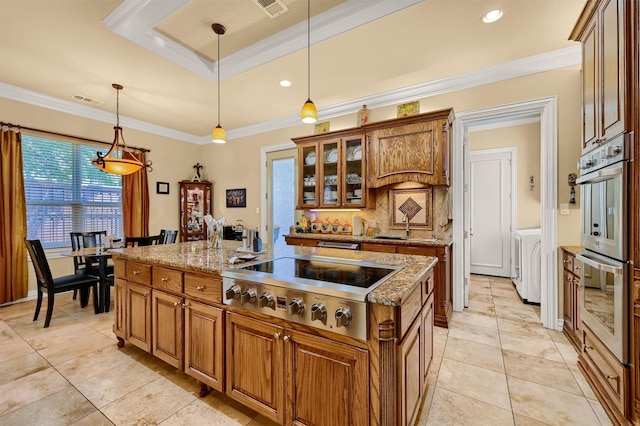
603	197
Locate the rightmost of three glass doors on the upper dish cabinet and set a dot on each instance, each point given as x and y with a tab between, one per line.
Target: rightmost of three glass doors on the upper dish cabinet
353	176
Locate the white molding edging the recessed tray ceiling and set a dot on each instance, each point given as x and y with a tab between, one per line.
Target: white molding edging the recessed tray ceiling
135	20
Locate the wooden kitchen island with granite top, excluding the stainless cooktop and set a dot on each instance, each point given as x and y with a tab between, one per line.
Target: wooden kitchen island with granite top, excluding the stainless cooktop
171	301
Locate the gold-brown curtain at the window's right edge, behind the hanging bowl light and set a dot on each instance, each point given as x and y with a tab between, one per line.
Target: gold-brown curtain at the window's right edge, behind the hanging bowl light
135	202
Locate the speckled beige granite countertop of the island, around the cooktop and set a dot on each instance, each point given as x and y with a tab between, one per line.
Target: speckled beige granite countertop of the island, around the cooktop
196	257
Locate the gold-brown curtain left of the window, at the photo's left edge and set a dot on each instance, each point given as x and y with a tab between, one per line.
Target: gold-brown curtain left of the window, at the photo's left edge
14	278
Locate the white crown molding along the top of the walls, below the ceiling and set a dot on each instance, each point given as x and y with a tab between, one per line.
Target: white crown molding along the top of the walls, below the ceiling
535	64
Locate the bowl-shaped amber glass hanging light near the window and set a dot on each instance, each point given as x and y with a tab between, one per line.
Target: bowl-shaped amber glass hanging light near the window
119	160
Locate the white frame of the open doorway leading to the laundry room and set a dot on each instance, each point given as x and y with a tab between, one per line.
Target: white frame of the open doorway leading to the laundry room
546	109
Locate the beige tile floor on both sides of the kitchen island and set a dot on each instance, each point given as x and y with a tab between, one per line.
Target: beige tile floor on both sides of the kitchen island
495	365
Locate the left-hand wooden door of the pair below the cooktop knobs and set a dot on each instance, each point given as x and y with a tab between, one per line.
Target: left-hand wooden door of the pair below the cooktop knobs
255	365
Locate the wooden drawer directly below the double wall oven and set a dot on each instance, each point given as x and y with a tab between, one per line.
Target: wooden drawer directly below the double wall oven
605	368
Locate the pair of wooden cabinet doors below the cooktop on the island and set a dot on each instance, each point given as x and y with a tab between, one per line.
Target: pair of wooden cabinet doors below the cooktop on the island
300	379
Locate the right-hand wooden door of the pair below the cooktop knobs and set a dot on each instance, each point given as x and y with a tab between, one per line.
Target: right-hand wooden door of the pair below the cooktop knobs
327	382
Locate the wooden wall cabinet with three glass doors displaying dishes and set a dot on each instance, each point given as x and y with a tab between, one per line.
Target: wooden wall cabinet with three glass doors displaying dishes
332	171
